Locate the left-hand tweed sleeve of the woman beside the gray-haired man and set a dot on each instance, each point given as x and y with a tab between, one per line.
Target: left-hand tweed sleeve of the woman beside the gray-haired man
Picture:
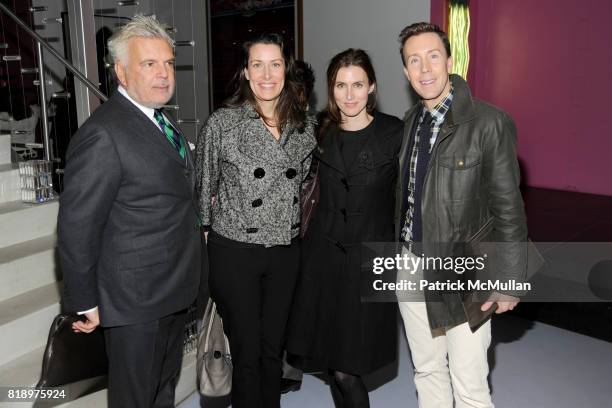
208	147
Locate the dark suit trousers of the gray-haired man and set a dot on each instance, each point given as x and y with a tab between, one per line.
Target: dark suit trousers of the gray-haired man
145	362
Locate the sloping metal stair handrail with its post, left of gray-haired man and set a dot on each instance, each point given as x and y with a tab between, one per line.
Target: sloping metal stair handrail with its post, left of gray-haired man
42	43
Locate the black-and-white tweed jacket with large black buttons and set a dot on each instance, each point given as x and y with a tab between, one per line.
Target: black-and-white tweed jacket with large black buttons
248	181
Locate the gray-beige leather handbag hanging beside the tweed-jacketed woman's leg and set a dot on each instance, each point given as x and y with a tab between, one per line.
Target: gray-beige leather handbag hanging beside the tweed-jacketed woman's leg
214	364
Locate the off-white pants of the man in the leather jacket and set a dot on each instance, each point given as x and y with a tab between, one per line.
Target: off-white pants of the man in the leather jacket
449	363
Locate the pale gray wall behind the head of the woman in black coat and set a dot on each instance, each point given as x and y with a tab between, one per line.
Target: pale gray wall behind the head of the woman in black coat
331	26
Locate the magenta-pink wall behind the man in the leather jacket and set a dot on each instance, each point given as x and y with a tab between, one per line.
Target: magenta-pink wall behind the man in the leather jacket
548	63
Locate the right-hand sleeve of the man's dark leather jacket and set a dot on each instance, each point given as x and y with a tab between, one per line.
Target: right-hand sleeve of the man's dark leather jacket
505	202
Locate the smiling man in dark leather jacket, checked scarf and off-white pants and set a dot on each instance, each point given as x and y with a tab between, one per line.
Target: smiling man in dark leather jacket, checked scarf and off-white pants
458	184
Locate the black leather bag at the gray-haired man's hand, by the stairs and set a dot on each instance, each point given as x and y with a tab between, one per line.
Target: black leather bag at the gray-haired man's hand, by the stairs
70	356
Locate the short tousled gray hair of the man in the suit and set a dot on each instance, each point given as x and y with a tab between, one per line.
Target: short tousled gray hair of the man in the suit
140	26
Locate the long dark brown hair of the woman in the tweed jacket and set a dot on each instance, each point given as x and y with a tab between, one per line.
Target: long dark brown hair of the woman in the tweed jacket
288	108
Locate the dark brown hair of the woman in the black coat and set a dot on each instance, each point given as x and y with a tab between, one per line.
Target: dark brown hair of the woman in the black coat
351	57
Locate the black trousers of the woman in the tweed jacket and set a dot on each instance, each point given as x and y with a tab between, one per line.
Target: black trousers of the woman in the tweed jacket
253	288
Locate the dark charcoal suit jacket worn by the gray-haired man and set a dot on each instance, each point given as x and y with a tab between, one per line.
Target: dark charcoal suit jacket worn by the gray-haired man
128	230
